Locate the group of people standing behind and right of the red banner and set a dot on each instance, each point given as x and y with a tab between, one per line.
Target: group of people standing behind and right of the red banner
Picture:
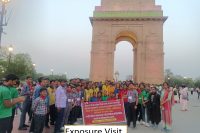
143	102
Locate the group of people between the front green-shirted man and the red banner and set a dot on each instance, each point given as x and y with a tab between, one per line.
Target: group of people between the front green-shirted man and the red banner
51	102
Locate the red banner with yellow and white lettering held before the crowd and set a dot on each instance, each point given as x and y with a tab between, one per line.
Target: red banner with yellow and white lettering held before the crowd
103	112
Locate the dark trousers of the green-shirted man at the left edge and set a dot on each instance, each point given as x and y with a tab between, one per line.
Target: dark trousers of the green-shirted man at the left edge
4	124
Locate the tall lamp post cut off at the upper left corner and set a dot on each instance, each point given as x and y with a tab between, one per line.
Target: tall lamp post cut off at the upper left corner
2	13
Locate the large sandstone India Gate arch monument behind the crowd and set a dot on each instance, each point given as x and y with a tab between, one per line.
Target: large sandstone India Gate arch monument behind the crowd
139	22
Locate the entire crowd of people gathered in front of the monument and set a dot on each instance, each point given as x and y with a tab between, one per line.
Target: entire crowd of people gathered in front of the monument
58	102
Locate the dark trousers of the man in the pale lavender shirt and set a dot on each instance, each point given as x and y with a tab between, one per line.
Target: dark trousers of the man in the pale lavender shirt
59	120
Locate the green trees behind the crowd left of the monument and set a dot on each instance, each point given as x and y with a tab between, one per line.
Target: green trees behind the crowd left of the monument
21	64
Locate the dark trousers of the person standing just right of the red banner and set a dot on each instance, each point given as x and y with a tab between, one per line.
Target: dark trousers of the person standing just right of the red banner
131	114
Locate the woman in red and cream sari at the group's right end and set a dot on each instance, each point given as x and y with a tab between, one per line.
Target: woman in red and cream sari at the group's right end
166	106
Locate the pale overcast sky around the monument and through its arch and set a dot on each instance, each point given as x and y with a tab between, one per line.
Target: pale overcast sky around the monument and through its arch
57	34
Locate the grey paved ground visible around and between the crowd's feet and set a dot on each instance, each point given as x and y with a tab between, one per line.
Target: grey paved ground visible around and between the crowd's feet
183	122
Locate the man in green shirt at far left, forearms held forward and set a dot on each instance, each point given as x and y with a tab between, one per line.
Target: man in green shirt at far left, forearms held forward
7	102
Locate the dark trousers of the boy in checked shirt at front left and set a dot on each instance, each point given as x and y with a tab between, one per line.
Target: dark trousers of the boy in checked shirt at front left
39	121
